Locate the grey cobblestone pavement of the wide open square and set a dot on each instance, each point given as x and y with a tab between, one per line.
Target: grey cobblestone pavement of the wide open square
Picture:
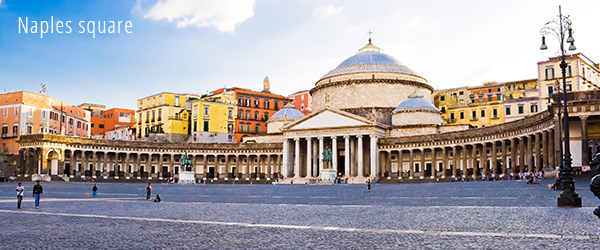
480	215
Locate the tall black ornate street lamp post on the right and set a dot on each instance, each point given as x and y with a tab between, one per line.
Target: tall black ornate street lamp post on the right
560	28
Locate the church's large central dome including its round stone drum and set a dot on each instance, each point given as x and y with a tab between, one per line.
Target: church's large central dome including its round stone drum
357	83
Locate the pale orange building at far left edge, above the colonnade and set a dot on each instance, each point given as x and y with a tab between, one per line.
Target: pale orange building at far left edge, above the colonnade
25	113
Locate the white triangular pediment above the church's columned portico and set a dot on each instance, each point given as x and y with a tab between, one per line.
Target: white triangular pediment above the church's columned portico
329	118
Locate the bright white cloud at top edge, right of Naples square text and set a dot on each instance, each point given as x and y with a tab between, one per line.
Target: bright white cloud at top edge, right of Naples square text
221	14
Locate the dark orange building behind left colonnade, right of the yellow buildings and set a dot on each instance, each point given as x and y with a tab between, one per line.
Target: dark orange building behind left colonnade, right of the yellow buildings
254	109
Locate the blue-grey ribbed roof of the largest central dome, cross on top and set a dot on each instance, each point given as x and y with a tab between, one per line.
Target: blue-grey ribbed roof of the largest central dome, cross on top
370	58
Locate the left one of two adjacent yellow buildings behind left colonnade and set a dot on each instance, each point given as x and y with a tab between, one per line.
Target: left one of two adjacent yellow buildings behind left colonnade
163	116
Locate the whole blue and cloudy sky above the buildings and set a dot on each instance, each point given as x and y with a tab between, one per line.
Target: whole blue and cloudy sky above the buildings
197	46
